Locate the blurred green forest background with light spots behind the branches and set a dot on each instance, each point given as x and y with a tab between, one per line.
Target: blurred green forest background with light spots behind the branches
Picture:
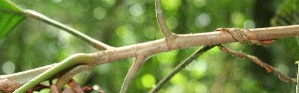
118	23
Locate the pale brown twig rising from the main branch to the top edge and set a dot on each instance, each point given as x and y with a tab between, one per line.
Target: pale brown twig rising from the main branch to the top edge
162	23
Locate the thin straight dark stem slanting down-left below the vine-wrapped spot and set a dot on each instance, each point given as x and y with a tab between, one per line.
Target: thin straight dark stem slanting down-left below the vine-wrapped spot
181	66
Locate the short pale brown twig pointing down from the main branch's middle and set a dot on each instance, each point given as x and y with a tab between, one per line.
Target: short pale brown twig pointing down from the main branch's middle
140	59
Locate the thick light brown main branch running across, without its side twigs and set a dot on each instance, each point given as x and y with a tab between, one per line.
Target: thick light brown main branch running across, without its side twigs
154	47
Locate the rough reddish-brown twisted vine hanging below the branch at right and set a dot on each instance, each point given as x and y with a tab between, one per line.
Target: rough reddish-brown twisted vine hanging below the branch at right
257	61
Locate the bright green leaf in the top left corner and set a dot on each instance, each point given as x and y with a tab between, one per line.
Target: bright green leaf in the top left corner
10	16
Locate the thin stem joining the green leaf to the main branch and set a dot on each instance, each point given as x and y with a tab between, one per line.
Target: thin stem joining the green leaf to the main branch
95	43
